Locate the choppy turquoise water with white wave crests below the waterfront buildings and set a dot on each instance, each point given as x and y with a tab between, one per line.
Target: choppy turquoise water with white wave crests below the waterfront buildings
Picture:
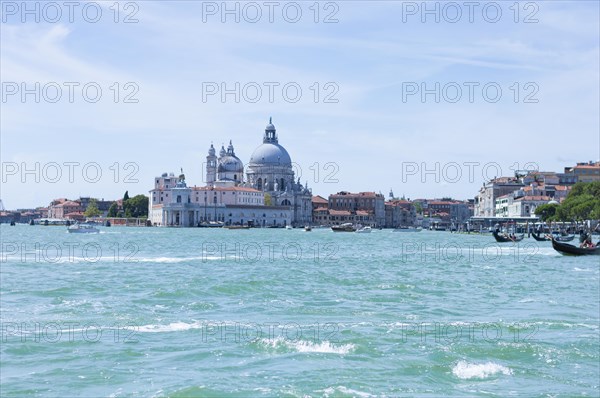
199	312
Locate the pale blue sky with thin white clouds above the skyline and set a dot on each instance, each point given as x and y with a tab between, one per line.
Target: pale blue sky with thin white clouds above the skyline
427	99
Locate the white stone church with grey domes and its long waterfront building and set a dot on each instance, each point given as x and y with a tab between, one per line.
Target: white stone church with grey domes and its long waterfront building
228	198
